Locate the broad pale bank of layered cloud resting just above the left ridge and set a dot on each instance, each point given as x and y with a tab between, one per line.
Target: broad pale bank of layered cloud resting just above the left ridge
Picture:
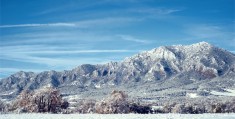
43	57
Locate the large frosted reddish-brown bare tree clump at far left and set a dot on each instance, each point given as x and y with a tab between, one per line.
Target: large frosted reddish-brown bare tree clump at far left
45	100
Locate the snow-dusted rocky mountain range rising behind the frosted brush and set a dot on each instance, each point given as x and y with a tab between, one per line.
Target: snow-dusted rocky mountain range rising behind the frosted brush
168	70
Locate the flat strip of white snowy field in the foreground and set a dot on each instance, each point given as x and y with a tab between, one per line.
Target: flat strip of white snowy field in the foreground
117	116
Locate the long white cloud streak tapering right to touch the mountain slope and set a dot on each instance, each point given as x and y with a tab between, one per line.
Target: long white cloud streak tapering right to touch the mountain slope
19	50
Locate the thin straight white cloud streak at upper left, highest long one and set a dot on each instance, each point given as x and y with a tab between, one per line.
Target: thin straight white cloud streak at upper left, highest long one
40	25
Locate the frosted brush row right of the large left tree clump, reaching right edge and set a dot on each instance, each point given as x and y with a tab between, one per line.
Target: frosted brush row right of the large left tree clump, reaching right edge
117	103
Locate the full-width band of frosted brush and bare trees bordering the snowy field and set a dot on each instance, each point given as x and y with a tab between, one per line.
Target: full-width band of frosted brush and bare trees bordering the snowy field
50	100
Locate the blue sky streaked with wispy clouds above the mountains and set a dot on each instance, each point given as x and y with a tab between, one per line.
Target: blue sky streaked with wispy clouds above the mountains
37	35
